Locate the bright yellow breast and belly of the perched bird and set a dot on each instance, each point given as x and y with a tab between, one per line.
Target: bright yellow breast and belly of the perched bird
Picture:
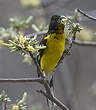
53	52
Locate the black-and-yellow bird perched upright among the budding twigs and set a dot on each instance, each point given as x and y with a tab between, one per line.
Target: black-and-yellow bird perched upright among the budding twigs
54	40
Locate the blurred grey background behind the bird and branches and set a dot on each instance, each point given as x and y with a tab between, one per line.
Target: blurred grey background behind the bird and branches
75	78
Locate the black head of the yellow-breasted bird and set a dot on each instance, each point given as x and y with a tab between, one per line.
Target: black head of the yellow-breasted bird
57	24
